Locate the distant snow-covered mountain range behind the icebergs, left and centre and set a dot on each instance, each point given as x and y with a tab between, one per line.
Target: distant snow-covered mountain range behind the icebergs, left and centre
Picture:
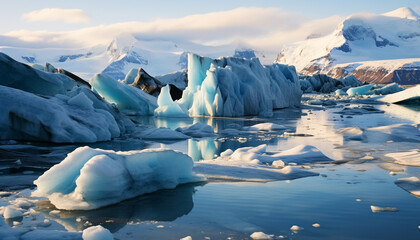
158	57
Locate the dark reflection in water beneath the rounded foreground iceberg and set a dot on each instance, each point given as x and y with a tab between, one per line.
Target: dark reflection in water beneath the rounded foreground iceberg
164	205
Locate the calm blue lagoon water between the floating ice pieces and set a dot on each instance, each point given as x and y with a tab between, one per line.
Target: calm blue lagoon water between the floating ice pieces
222	210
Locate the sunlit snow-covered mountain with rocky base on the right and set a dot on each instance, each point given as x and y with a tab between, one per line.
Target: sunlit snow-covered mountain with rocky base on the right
376	48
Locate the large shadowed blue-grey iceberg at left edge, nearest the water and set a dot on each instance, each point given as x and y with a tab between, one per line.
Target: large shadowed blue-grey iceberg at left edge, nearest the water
79	116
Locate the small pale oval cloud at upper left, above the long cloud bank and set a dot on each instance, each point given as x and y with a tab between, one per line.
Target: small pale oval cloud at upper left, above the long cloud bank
56	14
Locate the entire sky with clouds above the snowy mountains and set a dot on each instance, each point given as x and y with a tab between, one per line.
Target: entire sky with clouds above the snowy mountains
80	23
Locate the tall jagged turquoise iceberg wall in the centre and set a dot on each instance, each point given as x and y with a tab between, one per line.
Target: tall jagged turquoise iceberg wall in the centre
237	87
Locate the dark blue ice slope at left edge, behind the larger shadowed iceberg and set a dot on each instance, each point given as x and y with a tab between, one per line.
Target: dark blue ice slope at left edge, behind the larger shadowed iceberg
21	76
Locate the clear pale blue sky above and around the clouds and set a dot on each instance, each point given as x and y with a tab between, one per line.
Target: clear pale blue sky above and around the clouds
111	11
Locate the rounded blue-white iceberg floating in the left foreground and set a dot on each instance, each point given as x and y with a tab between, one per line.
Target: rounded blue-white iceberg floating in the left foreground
92	178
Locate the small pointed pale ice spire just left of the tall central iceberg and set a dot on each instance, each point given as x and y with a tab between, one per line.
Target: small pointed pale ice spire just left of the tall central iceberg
168	107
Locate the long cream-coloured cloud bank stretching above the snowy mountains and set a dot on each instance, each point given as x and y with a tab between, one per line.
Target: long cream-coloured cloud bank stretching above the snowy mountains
264	28
